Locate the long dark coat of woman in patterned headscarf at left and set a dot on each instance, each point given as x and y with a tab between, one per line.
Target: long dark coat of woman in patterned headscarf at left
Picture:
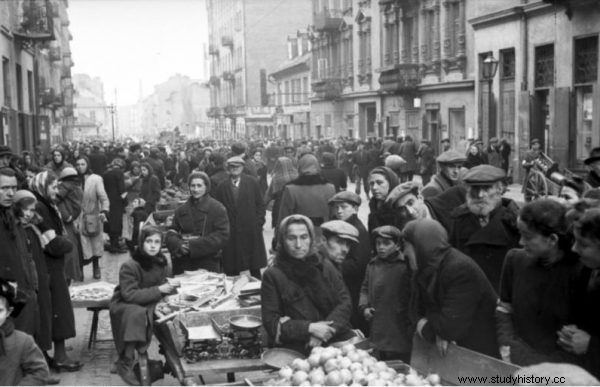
63	319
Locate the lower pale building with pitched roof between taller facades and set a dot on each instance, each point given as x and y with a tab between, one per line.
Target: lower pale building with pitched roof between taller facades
293	90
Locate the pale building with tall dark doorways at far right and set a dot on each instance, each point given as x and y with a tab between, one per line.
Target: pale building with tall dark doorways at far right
546	86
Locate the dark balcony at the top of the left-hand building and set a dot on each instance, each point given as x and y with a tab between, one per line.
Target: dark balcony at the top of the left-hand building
35	21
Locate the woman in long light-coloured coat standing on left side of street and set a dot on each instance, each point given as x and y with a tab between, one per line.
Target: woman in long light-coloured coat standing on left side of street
94	210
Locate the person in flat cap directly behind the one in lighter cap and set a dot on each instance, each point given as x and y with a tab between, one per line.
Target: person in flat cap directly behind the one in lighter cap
345	207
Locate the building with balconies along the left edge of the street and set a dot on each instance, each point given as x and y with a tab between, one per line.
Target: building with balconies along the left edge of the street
36	90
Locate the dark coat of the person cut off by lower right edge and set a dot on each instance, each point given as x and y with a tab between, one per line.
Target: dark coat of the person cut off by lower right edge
586	315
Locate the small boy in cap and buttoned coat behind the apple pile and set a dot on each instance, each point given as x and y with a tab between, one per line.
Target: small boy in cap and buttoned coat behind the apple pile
385	296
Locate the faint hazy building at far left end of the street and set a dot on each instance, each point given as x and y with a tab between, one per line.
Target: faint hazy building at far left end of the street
92	115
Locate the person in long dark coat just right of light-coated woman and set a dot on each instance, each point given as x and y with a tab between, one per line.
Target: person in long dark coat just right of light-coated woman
114	183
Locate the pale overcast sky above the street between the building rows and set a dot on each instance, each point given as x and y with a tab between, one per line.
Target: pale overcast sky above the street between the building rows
127	41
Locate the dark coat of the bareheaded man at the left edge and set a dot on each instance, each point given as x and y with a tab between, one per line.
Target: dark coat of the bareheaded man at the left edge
16	265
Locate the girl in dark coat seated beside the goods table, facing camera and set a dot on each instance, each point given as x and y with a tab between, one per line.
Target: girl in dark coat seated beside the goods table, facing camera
142	283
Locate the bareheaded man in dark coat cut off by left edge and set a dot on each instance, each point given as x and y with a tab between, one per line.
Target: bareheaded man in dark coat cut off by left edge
15	264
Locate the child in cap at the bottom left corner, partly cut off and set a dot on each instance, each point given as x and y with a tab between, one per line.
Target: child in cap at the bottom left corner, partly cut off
21	361
